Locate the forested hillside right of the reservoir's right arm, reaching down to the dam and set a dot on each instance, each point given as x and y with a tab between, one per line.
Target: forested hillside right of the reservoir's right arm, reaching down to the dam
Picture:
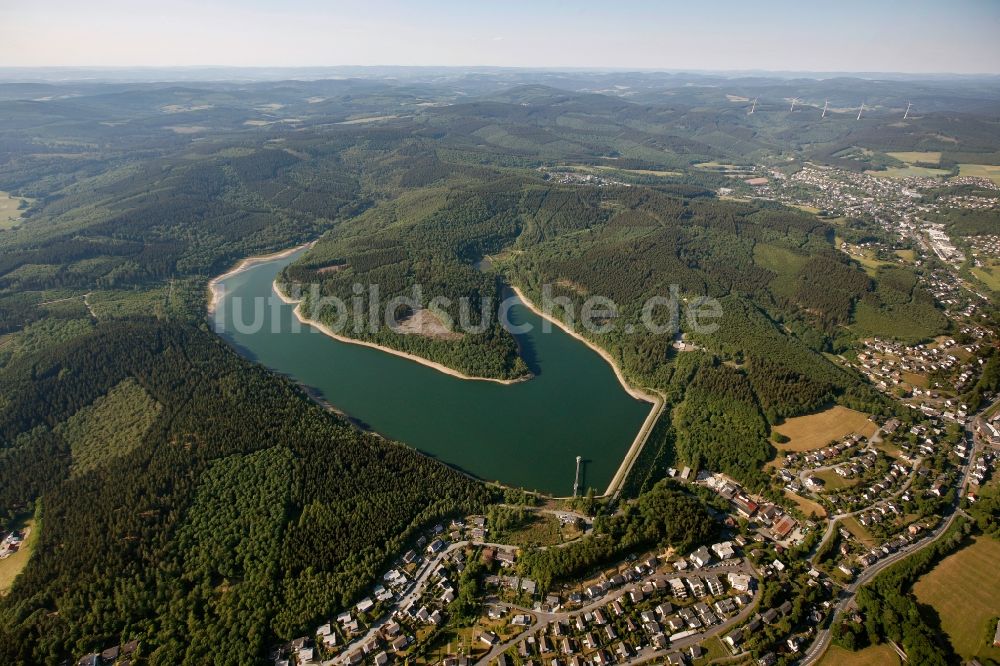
783	294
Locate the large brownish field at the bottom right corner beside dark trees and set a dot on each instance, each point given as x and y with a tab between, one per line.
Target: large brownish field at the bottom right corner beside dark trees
965	591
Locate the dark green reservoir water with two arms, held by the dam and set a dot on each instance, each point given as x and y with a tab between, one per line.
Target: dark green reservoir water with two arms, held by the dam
526	434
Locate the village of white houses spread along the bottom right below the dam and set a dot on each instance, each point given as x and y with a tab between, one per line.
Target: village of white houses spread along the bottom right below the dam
662	605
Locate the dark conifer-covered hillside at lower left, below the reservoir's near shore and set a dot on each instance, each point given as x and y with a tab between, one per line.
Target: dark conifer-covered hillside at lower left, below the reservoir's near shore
235	514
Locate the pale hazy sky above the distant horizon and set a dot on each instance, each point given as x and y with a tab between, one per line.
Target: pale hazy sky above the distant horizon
841	35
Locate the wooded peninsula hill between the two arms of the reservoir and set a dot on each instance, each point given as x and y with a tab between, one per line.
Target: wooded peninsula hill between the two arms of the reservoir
429	241
